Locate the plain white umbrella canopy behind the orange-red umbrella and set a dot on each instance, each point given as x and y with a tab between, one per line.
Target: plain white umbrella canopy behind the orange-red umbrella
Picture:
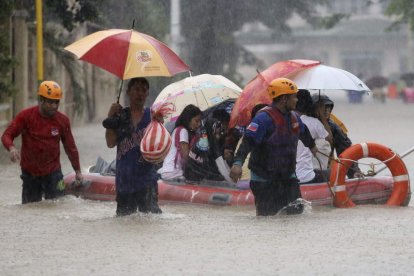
322	77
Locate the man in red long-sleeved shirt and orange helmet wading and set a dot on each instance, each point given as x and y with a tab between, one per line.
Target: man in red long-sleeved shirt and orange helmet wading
42	128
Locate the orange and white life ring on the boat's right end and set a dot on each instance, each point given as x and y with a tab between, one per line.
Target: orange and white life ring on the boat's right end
401	187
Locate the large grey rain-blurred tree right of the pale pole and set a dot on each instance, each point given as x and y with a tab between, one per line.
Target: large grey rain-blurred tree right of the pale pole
209	25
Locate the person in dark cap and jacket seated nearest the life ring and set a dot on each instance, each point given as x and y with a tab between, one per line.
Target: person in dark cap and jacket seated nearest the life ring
341	140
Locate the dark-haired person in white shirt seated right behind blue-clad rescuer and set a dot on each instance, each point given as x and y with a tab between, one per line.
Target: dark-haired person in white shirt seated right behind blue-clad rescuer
306	171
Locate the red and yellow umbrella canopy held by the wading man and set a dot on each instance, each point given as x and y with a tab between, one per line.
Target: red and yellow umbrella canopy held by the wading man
128	54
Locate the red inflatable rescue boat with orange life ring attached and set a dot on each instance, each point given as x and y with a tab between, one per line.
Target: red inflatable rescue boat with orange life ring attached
338	191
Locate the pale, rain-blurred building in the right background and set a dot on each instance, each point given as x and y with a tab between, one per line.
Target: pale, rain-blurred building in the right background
360	44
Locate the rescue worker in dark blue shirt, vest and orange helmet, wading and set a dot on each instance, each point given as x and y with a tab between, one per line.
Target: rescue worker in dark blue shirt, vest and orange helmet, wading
272	138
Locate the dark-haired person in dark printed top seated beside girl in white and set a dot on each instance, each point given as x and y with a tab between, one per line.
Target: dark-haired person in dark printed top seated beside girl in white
208	147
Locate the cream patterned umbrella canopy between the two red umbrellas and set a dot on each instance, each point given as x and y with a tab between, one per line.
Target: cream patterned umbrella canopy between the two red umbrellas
203	91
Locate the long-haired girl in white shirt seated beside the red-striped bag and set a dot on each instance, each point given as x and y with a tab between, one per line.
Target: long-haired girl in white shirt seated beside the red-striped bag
183	137
